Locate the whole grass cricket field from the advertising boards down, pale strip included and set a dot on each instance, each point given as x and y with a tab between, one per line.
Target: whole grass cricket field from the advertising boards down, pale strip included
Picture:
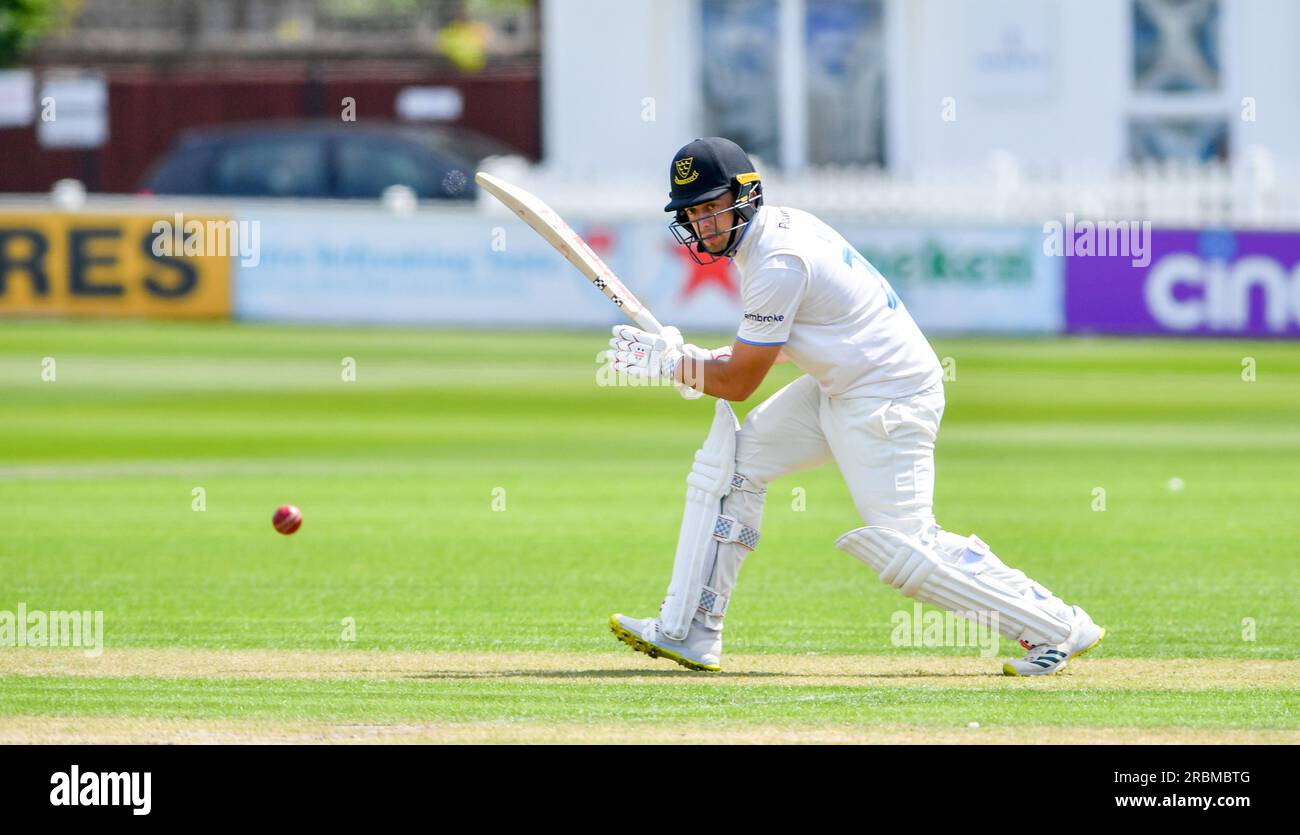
478	508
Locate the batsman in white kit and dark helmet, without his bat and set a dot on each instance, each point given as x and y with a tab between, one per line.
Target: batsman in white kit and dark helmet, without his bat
872	400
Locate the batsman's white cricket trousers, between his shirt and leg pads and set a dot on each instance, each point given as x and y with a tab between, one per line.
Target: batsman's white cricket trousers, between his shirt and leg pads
885	449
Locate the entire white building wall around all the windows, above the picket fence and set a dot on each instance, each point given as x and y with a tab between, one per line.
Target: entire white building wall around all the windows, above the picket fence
604	58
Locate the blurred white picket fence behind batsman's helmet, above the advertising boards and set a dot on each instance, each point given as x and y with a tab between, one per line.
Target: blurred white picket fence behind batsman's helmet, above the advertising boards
1256	192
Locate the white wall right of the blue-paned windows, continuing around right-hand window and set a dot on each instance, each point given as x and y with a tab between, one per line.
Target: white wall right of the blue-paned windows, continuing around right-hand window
1077	113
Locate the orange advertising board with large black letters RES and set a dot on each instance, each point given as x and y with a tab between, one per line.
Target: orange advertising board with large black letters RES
105	266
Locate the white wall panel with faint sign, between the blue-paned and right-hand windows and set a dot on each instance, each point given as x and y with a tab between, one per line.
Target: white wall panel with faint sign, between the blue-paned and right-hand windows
1071	111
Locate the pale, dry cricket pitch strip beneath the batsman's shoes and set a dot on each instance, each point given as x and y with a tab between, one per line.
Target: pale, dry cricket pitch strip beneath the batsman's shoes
158	696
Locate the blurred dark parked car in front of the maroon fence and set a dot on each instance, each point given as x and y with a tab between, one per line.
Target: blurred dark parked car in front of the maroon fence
323	159
